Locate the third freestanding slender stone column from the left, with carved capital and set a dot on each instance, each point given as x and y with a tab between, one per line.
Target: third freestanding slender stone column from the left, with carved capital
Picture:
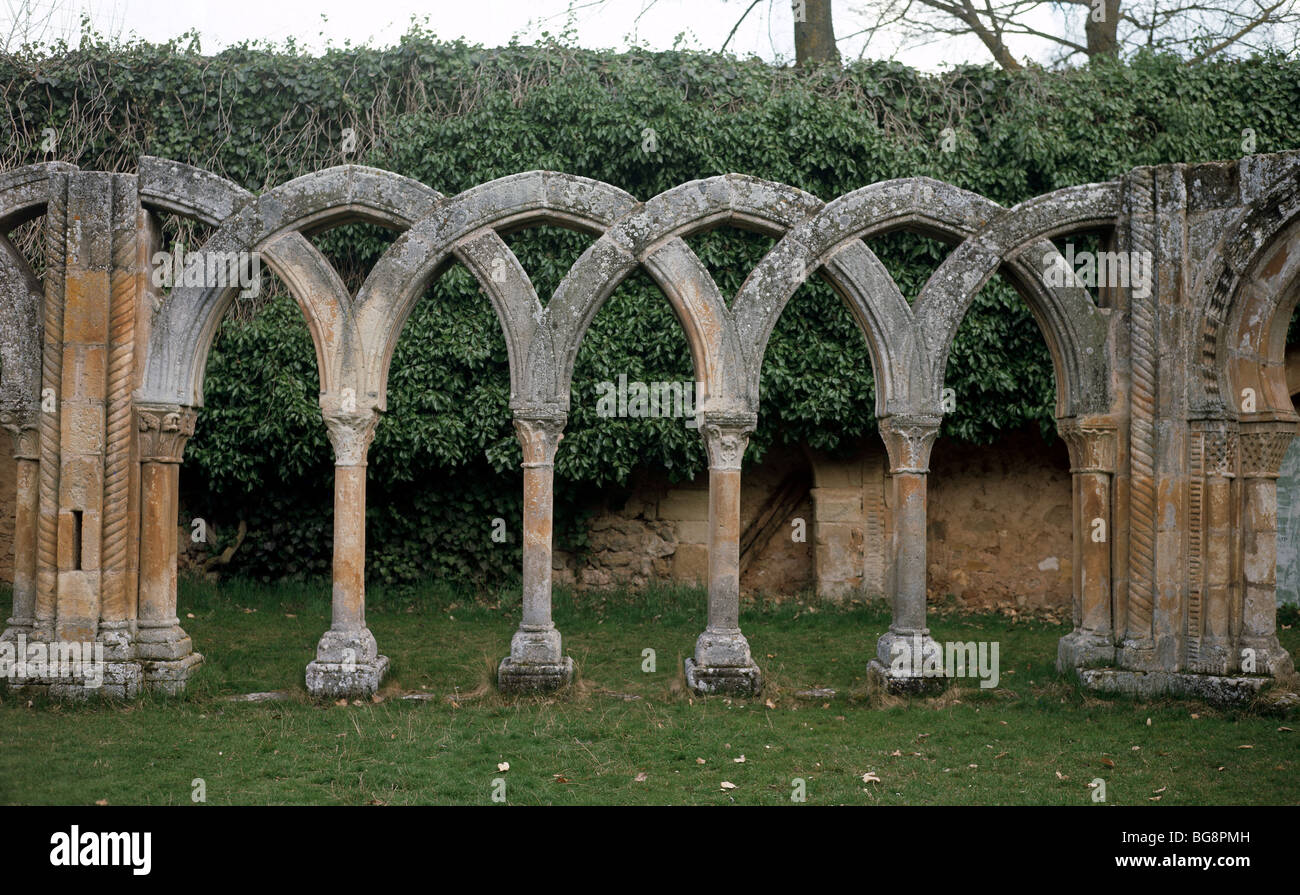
722	663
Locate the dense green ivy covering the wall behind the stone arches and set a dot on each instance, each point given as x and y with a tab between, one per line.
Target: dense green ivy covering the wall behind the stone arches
445	460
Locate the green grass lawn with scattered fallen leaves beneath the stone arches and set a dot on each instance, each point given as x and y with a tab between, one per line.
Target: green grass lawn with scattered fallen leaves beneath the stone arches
623	736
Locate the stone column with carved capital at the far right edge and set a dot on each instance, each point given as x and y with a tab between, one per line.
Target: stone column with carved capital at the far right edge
1264	443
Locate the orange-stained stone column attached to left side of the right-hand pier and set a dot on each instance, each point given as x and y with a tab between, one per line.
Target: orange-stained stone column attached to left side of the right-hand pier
1093	464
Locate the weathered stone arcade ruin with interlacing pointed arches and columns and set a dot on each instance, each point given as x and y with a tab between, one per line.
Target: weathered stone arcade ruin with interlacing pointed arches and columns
1171	392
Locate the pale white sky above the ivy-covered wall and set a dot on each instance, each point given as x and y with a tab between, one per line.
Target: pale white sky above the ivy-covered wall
703	24
